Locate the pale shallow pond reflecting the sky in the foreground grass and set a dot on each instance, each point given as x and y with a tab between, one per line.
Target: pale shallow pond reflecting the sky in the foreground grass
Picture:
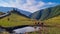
26	29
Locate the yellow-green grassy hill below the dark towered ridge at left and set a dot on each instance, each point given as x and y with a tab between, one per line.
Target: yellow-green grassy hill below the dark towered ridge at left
14	20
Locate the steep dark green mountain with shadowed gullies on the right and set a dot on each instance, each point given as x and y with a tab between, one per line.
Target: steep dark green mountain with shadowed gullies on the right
46	13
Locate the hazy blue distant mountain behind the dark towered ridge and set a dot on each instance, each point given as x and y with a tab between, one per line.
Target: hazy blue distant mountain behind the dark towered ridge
7	9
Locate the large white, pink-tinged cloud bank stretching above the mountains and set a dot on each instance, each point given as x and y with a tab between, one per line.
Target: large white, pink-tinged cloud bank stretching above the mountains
29	5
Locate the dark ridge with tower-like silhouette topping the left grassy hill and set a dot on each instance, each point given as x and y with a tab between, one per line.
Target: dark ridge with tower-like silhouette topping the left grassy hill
14	11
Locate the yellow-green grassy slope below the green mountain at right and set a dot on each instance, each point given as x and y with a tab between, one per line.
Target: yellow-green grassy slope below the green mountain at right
53	21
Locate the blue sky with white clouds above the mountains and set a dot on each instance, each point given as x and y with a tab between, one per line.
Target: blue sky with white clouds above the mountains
29	5
